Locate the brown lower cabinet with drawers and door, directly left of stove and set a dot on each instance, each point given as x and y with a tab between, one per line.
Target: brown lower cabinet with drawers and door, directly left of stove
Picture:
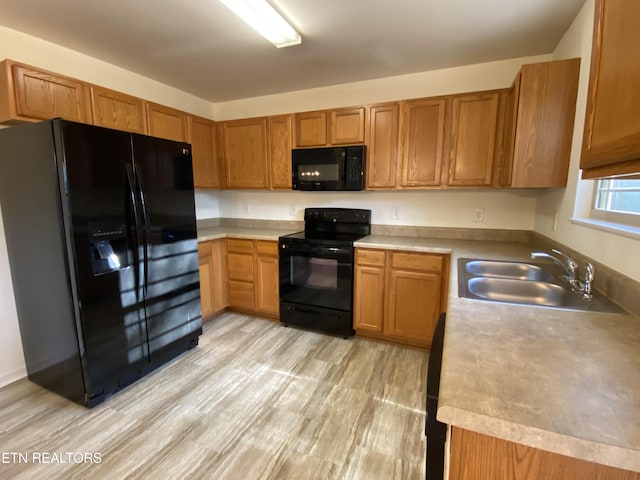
252	268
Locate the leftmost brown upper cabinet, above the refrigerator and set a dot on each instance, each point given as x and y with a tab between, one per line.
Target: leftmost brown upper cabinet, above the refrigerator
28	94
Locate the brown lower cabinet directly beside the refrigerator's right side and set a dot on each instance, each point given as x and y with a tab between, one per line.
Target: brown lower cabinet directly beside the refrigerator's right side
213	277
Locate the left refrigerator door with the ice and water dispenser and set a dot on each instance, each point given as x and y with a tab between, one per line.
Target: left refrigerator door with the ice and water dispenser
107	263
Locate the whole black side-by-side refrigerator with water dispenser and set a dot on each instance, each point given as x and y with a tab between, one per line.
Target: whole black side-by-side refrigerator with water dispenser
101	235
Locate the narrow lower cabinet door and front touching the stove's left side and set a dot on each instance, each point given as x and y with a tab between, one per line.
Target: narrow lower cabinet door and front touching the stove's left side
267	278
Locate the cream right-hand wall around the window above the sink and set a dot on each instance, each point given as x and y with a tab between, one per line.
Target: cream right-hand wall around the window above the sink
610	249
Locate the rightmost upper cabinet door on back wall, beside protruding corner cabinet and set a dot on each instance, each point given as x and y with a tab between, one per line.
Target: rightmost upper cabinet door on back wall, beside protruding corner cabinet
472	139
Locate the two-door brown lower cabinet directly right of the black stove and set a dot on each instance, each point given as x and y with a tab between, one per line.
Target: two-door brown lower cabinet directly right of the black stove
399	295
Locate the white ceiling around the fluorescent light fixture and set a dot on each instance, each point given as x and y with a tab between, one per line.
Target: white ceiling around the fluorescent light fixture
201	47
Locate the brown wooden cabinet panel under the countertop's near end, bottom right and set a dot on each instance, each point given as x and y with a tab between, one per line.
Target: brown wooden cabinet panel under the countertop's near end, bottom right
476	456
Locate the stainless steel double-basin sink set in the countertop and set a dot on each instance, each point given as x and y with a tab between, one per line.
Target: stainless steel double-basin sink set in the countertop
524	284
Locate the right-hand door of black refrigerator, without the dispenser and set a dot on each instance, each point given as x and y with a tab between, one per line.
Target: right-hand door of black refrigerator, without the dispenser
172	295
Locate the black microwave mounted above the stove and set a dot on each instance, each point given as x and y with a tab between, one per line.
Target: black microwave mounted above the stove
328	168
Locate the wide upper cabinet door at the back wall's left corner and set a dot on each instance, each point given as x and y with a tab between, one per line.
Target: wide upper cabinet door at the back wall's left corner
244	153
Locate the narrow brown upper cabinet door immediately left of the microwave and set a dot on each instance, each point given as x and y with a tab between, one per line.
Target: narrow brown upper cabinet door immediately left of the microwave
280	144
